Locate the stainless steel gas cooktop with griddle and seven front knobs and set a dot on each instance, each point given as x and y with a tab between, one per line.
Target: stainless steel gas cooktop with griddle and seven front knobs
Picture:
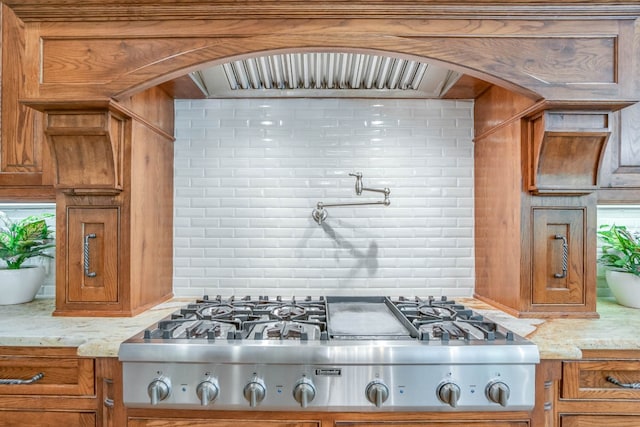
329	353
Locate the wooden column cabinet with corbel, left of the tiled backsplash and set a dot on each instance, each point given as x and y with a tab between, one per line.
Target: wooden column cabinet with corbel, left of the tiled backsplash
114	204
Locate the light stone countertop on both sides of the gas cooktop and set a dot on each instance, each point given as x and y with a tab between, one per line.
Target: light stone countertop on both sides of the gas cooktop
32	324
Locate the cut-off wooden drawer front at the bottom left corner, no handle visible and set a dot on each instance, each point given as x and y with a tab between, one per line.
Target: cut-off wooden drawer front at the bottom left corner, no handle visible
46	418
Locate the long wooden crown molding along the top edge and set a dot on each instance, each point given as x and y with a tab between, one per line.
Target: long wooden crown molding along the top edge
99	10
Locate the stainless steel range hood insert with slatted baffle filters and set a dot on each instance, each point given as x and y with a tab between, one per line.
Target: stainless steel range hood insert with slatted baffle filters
325	74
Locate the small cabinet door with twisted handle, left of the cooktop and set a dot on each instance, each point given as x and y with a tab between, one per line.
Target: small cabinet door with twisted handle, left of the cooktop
92	254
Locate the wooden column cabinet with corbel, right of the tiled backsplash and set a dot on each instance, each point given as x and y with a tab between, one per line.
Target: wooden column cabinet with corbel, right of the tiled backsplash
535	213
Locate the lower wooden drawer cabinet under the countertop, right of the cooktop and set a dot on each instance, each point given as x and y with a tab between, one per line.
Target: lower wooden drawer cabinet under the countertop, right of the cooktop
587	397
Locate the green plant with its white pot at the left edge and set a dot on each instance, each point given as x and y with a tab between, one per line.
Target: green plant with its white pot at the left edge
21	240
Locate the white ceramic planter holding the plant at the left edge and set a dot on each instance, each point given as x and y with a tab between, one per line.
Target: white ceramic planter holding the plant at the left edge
20	286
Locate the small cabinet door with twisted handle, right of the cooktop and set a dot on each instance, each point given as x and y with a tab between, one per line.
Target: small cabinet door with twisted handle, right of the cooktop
558	256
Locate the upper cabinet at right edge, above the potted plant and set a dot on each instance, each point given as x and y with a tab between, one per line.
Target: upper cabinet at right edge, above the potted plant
620	171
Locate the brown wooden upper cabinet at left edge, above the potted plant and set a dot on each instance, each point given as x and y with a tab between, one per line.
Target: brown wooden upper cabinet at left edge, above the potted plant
25	162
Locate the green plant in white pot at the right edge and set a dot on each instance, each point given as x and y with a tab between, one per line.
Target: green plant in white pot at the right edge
621	258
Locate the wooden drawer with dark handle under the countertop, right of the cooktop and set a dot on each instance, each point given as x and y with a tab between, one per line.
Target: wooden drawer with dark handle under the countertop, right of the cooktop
587	379
